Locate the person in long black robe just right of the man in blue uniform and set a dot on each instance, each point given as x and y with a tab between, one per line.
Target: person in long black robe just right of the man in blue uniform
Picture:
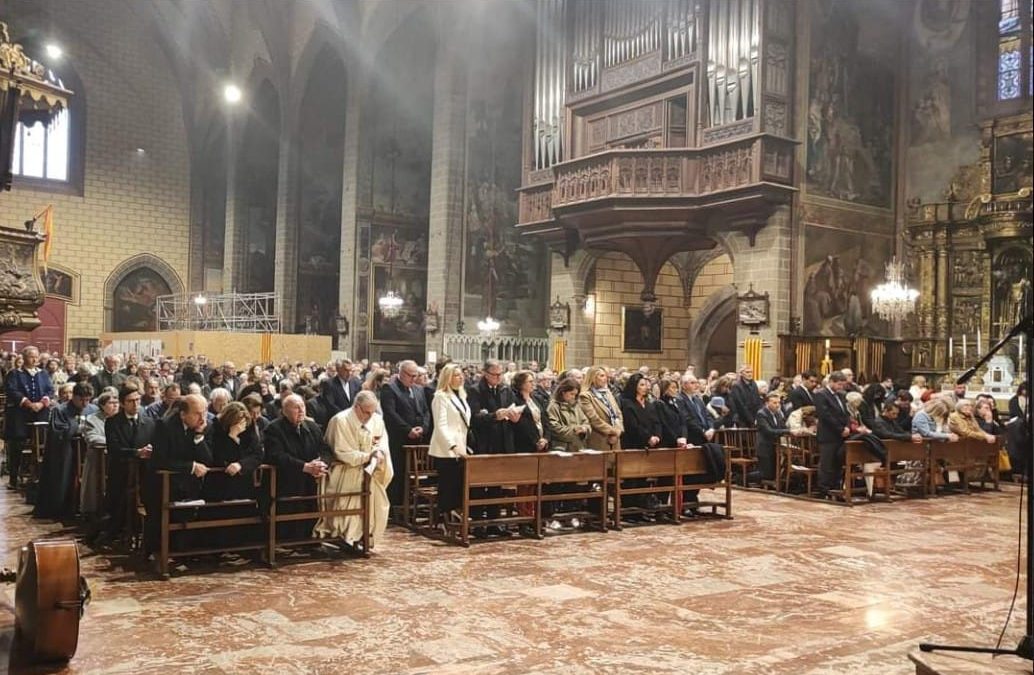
57	474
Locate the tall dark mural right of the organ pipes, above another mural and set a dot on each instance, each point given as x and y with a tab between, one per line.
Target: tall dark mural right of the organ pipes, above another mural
851	105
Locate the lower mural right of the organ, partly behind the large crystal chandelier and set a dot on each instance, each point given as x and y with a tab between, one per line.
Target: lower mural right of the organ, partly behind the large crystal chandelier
842	268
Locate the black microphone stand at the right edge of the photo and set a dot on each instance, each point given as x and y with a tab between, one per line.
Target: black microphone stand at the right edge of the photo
1026	648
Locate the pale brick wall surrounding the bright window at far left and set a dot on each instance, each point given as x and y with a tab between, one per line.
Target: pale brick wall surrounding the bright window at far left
134	203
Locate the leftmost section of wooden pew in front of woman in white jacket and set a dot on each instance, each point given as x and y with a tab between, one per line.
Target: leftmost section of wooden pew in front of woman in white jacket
494	472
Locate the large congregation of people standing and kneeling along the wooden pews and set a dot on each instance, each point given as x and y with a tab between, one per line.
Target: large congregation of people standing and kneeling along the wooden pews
322	425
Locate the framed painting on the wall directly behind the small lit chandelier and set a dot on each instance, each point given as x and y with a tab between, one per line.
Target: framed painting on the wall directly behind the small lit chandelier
406	327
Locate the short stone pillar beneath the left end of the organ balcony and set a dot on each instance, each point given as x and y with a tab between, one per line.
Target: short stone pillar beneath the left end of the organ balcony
568	283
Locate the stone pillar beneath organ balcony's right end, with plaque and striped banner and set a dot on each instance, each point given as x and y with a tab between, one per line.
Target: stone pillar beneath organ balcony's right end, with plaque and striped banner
767	265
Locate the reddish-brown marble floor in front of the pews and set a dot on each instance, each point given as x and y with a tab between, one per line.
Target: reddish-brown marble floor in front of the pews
788	587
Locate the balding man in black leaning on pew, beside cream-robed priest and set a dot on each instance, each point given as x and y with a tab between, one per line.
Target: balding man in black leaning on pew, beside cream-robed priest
296	446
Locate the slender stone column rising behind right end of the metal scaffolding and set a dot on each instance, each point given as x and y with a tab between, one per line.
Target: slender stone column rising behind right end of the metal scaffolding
286	237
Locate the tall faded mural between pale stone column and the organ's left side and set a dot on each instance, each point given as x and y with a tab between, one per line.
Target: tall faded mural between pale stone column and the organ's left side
505	274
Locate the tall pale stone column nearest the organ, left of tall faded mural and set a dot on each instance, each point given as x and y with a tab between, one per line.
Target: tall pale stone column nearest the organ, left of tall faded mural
445	257
